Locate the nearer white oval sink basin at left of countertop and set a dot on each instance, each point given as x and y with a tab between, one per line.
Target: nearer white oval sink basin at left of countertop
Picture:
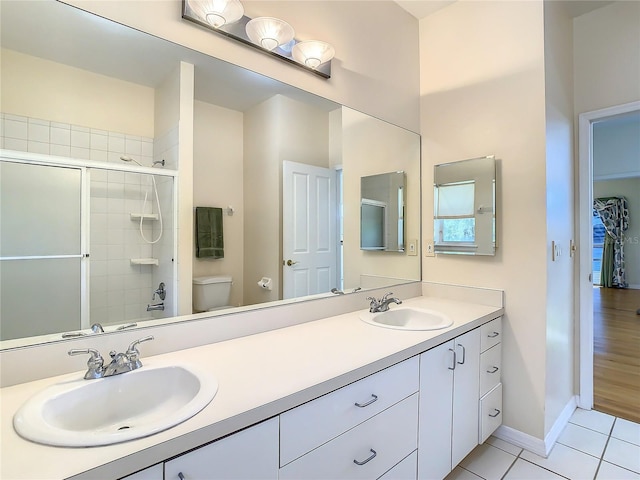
85	413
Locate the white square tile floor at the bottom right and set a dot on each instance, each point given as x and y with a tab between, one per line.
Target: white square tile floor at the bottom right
593	445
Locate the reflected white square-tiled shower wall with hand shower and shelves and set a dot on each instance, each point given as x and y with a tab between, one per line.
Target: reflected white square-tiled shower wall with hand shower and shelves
119	291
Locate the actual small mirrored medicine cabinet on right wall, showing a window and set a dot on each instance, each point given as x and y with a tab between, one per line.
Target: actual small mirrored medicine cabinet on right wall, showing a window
464	207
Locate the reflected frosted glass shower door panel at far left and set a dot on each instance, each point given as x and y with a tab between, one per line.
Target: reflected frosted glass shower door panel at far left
40	249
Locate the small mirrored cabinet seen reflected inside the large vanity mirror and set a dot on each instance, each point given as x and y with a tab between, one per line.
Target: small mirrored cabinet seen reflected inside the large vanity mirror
382	204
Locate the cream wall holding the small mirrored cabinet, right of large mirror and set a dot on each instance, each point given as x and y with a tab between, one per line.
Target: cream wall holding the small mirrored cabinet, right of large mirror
483	92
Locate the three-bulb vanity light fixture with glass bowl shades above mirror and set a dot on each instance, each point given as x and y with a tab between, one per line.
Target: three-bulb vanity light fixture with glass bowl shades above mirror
271	35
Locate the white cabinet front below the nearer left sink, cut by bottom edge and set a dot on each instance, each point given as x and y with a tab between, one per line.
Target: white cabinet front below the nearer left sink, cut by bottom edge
250	454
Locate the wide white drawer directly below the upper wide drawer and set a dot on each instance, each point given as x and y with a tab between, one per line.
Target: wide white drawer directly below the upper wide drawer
377	445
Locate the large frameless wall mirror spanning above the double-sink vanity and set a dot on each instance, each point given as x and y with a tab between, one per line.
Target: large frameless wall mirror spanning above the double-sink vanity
98	104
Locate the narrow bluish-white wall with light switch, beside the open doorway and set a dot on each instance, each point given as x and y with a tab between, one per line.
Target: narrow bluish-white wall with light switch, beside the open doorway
558	64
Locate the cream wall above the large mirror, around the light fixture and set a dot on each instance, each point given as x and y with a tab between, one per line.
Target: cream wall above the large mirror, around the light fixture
376	65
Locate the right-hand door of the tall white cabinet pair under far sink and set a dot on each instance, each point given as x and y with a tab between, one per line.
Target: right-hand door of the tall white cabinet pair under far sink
466	387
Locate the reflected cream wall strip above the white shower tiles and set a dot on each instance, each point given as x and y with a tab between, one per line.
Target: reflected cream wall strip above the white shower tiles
37	88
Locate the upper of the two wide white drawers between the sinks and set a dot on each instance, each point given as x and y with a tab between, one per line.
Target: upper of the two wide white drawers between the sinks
310	425
